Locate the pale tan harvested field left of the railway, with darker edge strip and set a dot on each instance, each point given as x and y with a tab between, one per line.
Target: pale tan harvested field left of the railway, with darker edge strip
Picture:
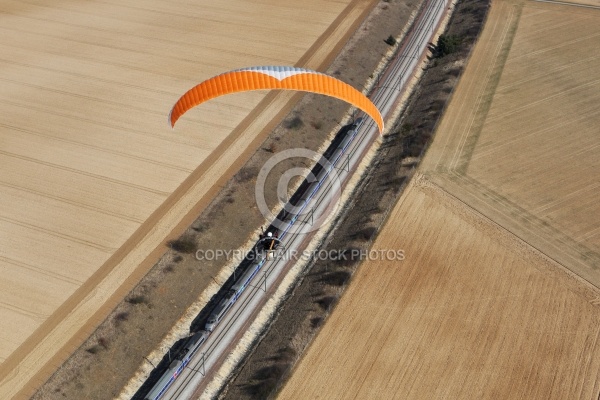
92	178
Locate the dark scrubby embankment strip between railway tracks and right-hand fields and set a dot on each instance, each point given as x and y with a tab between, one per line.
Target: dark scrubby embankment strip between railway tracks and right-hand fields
268	366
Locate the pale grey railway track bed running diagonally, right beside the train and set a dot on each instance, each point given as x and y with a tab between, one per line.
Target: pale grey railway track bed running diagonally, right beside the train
202	368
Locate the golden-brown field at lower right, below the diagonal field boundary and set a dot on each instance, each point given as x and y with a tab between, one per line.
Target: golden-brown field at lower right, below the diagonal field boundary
470	313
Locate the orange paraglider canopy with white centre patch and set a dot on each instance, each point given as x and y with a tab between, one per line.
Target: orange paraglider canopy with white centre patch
273	77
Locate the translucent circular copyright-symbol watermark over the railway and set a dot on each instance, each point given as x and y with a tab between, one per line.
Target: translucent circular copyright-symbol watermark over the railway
312	208
